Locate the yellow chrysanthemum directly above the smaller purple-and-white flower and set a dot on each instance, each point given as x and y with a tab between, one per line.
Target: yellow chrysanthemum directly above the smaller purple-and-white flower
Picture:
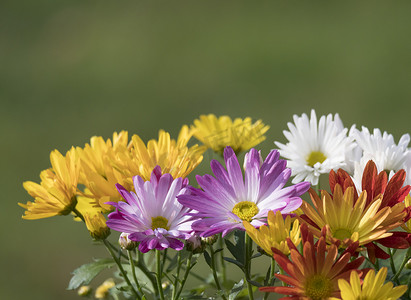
173	156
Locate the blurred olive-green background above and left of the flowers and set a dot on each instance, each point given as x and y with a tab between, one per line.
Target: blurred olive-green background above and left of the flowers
73	69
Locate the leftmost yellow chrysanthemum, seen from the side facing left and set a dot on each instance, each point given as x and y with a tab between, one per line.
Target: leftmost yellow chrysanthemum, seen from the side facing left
56	194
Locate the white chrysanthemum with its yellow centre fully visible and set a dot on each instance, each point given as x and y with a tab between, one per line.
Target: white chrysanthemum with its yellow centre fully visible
315	148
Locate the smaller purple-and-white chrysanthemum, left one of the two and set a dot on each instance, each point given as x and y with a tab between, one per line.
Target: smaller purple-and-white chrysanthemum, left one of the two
152	215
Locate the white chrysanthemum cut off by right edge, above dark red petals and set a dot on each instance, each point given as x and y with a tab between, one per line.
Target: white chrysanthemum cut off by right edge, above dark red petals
382	149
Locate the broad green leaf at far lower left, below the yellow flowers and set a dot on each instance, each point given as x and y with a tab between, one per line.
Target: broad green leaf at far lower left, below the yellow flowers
86	273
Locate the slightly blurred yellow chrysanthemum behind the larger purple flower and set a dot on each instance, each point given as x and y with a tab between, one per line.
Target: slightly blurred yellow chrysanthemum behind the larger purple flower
239	134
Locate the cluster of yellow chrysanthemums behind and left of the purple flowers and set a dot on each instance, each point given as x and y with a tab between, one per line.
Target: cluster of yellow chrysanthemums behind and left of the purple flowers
82	181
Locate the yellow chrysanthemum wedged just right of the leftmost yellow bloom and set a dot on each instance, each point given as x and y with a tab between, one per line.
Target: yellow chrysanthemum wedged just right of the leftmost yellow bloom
97	171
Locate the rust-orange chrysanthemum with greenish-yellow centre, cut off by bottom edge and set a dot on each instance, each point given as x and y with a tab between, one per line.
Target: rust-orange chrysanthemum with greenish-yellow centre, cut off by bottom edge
315	274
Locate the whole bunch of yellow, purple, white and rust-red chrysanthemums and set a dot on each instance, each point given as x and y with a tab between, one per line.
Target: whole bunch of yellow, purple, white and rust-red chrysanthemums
168	238
